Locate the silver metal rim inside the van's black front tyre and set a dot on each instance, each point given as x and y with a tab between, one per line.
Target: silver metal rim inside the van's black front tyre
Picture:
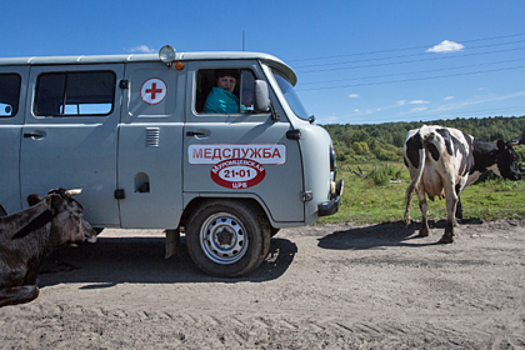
223	238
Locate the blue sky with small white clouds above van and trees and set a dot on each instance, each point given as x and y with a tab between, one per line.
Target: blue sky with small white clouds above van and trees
358	62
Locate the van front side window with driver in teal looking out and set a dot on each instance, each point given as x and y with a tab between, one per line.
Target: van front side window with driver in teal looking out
225	91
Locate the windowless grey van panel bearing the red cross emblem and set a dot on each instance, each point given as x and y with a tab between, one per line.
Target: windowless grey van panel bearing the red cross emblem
150	151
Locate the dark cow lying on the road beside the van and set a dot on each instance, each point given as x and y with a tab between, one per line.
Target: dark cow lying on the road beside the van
30	235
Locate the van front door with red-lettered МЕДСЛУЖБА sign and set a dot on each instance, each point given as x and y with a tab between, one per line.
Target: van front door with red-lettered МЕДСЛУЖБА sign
240	153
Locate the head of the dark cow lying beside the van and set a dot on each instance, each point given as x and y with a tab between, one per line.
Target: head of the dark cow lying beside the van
68	223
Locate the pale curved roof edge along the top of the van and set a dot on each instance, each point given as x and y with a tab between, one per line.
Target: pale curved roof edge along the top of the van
282	67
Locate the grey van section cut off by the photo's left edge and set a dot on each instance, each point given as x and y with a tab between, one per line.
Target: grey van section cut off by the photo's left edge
13	83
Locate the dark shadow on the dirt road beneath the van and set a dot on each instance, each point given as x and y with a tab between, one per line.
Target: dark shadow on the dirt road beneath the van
112	261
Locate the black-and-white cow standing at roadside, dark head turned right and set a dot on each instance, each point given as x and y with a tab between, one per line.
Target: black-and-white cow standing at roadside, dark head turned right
443	161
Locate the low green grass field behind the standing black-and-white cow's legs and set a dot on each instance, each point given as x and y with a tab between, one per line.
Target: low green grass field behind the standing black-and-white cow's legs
373	198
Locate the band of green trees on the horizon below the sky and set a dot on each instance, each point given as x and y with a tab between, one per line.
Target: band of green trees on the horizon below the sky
367	143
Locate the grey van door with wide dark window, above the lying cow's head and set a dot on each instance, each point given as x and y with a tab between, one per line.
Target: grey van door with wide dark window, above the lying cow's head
70	136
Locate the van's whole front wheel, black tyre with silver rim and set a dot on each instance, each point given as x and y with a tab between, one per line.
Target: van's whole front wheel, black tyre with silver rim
228	238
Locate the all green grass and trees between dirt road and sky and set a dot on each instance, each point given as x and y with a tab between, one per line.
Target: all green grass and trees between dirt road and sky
370	160
